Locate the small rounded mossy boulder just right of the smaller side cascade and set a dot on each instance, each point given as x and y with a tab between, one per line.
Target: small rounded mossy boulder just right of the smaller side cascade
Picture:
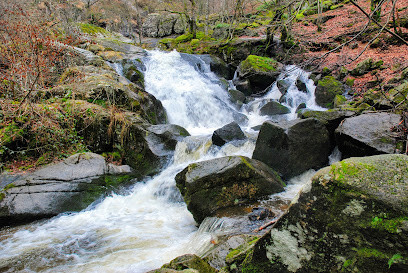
326	91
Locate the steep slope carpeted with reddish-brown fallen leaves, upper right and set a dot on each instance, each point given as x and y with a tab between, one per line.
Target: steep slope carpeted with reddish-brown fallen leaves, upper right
341	26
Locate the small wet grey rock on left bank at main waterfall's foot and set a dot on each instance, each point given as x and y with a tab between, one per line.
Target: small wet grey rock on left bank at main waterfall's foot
163	138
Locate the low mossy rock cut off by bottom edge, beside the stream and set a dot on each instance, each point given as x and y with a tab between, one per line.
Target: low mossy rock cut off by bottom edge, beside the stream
188	263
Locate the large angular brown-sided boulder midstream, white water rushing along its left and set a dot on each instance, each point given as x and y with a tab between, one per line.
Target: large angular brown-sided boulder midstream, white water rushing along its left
210	185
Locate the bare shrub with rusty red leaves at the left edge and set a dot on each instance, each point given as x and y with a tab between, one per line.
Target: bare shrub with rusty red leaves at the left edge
31	52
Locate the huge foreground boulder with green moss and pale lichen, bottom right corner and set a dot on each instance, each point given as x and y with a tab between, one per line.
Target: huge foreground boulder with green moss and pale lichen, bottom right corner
354	218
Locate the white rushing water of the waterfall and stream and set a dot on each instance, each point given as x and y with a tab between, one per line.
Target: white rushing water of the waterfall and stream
151	225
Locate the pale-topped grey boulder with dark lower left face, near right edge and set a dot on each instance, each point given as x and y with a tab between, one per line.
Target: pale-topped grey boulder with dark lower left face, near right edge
367	134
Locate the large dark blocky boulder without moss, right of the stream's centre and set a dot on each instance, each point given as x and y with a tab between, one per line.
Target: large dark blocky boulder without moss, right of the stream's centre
294	147
